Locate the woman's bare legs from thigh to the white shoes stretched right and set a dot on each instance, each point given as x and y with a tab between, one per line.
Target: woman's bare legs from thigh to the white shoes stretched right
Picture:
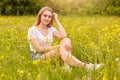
64	52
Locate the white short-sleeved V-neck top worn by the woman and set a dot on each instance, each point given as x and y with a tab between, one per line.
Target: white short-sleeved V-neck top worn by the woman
44	41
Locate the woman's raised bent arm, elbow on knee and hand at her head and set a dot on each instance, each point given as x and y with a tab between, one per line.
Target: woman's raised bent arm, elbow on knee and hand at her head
61	31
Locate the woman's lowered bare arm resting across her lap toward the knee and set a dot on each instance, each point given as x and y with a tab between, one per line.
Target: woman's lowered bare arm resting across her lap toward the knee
38	48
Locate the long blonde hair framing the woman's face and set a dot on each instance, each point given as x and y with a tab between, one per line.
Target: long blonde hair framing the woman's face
41	11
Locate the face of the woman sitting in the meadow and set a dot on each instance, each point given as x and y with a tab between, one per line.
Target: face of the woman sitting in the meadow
46	17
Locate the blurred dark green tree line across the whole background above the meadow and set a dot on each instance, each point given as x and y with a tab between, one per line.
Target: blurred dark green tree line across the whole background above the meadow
79	7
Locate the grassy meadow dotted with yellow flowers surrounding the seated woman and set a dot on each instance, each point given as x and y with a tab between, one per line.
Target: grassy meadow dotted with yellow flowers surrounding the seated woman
94	39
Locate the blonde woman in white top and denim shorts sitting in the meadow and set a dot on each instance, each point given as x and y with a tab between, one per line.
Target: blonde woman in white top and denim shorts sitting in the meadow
41	38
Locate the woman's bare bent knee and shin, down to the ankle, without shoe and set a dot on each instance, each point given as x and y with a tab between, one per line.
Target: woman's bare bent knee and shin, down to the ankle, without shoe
67	57
